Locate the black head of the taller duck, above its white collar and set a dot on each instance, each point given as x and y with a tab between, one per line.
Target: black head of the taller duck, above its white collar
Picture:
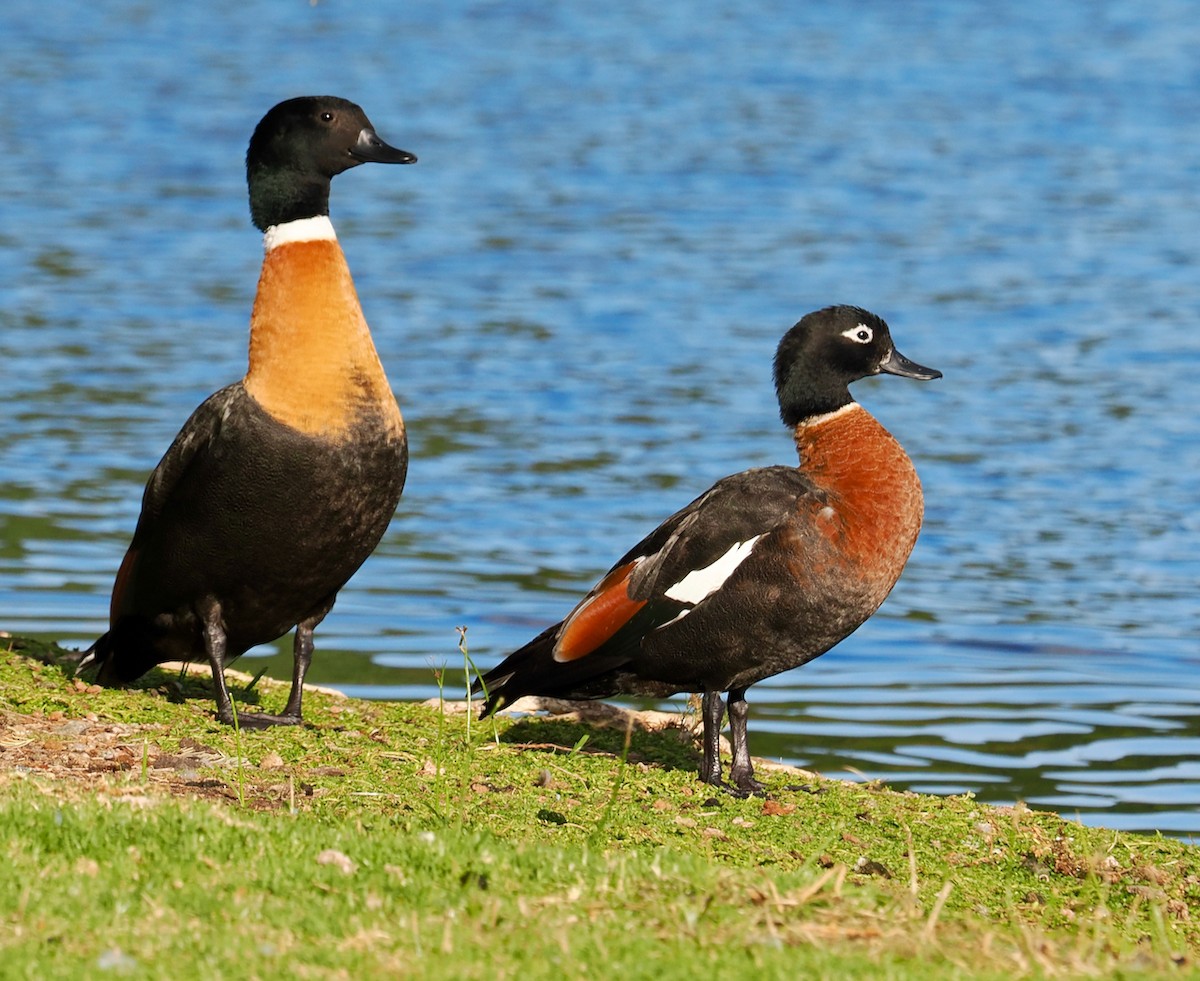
299	148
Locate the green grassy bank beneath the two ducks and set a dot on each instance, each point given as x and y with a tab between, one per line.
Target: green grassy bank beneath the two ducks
142	839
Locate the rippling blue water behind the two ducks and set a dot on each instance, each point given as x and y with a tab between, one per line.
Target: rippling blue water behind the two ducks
619	210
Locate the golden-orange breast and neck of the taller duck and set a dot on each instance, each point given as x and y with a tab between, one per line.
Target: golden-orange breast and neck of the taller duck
313	363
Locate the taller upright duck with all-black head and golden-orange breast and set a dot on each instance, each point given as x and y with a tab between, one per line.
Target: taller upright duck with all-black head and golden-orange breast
280	486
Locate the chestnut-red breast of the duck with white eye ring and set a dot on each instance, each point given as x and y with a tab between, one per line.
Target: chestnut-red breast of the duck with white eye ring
873	504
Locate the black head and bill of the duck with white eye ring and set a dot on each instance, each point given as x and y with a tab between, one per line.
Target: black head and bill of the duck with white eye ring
829	350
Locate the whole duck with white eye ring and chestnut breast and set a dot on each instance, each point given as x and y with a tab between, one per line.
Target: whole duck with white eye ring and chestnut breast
761	574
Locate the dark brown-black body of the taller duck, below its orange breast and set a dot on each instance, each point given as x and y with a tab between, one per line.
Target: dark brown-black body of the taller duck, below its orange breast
268	522
